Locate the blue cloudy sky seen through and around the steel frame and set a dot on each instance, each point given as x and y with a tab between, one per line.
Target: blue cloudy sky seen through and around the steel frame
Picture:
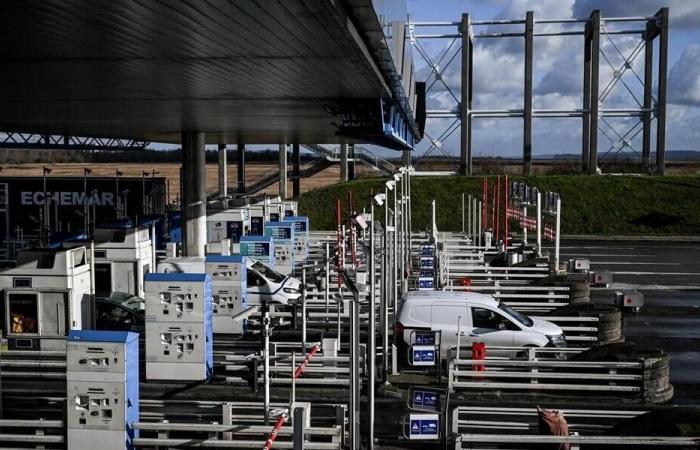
558	73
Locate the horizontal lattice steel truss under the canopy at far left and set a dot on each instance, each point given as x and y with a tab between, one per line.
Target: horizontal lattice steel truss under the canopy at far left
10	140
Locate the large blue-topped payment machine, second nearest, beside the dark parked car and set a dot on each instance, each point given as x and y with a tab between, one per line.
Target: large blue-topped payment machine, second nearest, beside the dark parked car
179	340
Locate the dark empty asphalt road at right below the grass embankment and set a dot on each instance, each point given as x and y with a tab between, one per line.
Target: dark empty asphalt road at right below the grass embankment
668	274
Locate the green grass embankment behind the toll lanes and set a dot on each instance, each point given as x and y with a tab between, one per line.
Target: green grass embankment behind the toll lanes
602	205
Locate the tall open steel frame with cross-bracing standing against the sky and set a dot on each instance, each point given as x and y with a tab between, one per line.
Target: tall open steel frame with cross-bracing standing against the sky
594	117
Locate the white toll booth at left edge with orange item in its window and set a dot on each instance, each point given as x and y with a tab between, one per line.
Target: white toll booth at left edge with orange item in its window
44	296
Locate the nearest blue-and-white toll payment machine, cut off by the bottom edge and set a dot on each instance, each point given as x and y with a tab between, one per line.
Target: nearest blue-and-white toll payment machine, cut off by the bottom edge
102	389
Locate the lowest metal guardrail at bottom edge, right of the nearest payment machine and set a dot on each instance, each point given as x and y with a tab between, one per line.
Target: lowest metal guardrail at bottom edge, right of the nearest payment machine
242	436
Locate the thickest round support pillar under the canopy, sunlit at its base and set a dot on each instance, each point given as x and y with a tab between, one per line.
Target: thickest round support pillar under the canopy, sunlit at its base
194	194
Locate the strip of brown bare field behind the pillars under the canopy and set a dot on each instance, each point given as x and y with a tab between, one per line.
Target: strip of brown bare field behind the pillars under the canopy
172	173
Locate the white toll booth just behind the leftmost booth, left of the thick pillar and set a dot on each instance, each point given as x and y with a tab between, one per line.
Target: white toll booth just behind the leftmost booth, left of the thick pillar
122	258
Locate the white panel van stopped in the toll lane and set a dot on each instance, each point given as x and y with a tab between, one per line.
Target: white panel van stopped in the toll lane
481	319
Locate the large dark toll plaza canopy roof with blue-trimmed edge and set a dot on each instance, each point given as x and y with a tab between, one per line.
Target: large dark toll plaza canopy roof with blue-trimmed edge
264	71
